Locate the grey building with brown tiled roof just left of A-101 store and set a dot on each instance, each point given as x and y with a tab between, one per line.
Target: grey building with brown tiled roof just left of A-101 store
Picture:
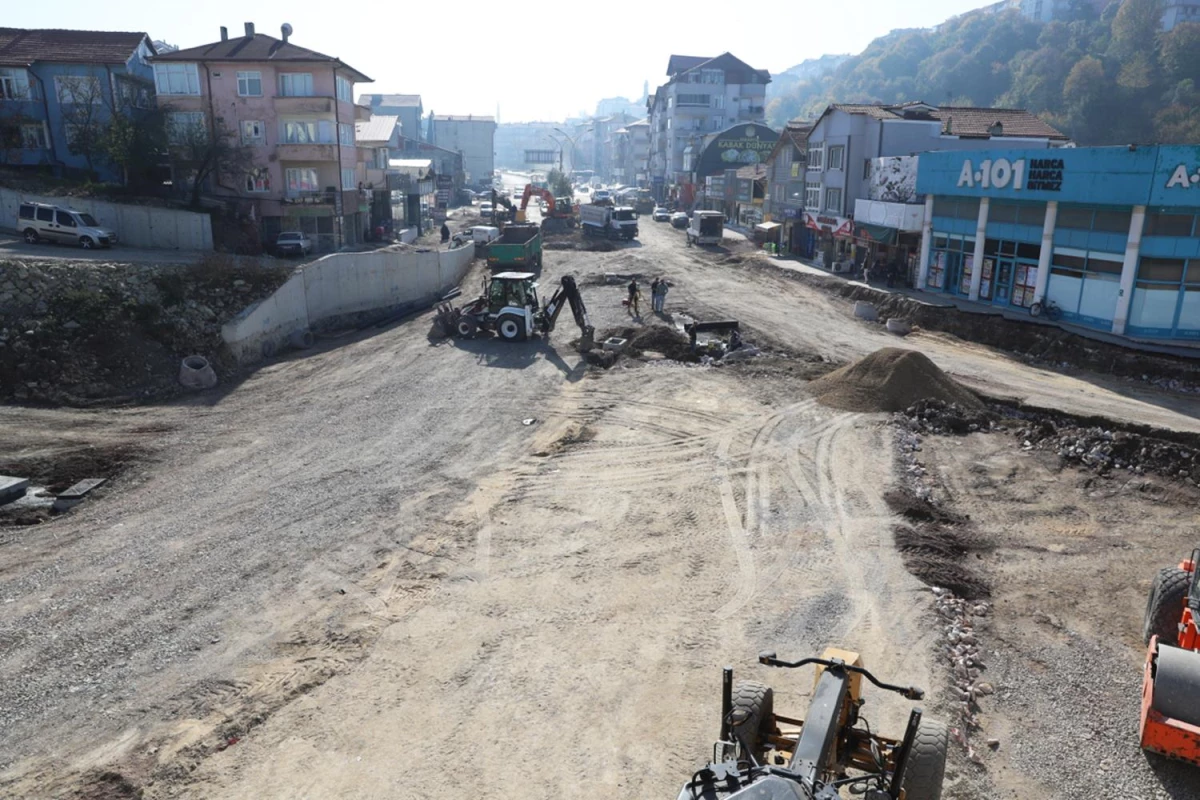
848	139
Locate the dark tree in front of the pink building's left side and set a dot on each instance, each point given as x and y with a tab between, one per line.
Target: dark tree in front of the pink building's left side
200	153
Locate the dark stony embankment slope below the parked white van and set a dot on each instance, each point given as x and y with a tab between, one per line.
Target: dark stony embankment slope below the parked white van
85	334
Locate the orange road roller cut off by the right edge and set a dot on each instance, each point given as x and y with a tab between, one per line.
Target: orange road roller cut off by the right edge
1171	689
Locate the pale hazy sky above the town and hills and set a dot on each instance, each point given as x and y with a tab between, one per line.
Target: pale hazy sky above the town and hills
536	61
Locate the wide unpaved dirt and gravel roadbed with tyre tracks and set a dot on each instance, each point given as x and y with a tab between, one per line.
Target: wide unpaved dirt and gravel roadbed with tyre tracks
363	574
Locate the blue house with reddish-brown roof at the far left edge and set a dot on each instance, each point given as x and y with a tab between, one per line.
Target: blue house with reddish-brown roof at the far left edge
59	89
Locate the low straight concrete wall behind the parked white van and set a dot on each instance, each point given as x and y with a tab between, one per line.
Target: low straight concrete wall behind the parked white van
136	226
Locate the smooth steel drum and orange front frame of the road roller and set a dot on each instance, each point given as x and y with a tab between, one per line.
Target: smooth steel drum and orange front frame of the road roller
1171	702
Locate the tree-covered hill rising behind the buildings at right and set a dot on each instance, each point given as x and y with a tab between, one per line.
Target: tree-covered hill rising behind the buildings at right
1107	77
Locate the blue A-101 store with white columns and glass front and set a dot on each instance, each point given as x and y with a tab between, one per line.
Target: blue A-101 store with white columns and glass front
1109	236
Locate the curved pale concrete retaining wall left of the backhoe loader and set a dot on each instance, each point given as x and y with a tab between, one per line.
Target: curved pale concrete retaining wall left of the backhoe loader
344	288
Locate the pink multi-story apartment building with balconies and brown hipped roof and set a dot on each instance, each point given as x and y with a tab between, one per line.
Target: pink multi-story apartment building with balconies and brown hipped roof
280	116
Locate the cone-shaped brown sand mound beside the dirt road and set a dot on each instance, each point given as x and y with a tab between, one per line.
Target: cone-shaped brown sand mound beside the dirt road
891	380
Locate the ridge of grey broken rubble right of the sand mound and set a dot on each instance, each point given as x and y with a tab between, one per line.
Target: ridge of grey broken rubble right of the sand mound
1106	449
